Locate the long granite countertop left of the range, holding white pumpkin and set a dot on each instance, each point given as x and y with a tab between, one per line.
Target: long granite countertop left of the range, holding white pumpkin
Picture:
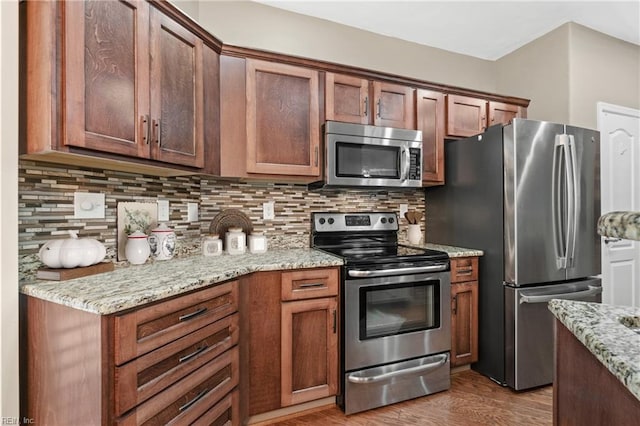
132	286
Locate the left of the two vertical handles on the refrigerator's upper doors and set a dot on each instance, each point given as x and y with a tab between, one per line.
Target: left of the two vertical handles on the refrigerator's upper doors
557	206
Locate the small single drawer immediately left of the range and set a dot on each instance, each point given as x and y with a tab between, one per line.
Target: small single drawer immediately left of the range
309	283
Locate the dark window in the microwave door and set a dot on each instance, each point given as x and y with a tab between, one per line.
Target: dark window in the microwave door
356	160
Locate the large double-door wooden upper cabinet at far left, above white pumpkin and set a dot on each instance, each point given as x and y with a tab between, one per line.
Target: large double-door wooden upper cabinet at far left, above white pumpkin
118	80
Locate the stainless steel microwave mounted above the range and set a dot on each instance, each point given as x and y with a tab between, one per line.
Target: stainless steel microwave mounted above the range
359	155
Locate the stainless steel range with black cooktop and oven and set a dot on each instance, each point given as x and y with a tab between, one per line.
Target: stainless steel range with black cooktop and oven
395	311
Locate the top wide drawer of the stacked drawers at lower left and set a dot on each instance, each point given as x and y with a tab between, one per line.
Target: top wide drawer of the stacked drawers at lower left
146	329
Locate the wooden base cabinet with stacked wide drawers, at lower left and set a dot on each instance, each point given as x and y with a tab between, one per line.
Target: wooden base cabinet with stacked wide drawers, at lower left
174	361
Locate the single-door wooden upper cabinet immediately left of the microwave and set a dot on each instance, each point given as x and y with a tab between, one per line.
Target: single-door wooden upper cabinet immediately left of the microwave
270	119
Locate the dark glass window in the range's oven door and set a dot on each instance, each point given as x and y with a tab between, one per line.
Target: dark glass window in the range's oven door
389	310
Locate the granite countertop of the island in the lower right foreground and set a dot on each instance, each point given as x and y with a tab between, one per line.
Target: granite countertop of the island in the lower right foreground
607	331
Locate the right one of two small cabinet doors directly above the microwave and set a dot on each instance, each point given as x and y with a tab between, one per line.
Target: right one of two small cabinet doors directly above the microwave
394	105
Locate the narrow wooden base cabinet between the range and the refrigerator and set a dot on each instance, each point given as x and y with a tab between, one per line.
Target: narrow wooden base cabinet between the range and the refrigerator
464	311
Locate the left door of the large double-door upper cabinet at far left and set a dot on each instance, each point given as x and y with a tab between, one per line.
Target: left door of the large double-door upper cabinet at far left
106	77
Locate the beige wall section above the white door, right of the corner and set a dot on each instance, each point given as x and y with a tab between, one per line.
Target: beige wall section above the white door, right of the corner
602	69
